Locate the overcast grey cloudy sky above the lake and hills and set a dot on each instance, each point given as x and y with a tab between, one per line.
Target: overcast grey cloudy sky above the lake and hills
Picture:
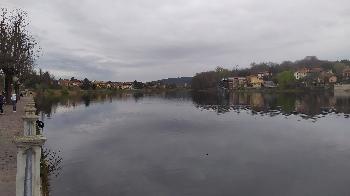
124	40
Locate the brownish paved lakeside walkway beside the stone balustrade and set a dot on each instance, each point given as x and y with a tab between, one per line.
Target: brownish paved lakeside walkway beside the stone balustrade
11	124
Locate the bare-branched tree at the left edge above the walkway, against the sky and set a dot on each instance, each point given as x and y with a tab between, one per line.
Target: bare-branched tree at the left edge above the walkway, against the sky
18	49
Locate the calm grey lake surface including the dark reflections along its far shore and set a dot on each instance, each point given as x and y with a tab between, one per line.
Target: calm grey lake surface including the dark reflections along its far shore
200	144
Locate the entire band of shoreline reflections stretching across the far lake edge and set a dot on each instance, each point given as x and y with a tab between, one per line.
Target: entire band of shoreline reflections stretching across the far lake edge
306	105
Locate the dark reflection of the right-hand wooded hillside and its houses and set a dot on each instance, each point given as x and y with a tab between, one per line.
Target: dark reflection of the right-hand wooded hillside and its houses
306	105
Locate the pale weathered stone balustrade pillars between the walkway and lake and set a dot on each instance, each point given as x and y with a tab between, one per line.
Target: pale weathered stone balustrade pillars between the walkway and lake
29	145
